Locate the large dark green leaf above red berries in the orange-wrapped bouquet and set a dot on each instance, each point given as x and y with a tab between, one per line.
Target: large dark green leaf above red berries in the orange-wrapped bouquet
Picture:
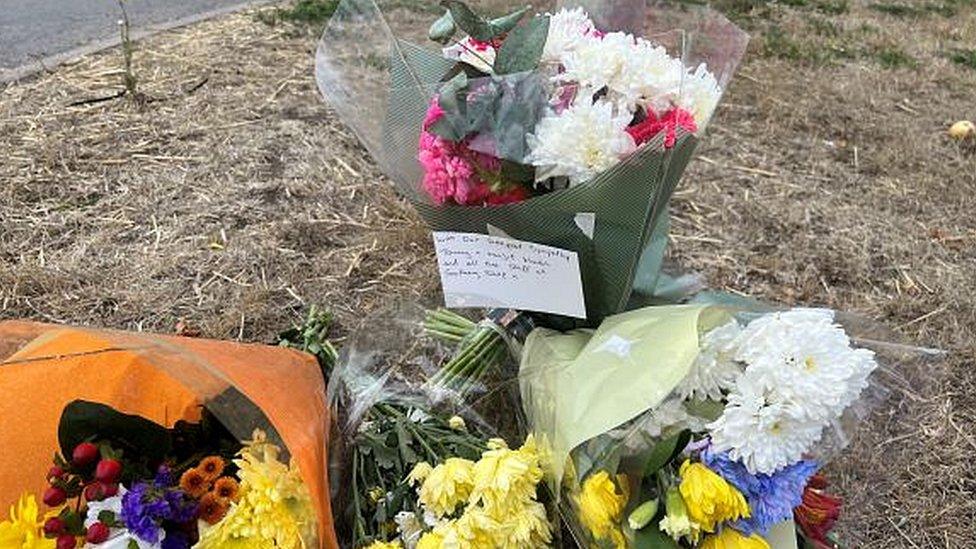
85	421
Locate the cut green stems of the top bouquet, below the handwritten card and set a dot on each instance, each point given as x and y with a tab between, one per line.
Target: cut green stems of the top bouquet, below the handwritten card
479	348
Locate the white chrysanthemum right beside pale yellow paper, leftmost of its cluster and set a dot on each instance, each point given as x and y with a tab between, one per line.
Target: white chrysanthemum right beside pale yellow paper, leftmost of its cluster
715	370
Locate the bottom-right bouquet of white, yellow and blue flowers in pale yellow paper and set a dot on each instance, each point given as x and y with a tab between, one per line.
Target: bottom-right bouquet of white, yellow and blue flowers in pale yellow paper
714	431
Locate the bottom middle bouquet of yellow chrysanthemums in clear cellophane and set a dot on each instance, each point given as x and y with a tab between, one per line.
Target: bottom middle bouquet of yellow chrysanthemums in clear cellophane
425	468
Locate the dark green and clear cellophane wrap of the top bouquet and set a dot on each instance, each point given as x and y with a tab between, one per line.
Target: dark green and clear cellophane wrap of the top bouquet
379	74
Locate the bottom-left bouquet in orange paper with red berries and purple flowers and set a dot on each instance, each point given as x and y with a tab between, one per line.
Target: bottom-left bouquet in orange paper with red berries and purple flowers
159	442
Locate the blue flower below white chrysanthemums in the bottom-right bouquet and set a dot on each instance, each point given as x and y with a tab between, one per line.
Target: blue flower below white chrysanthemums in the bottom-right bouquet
771	498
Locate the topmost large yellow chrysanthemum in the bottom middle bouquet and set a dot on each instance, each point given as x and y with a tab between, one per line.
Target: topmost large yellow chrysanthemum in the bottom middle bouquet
505	480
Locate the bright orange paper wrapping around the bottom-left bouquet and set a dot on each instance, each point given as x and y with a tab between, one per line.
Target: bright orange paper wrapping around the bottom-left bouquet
162	378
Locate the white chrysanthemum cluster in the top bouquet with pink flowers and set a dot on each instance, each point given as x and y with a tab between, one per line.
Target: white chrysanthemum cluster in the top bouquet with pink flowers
625	74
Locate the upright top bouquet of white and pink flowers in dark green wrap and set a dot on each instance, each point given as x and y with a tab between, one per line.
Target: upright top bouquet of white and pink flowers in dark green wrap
570	128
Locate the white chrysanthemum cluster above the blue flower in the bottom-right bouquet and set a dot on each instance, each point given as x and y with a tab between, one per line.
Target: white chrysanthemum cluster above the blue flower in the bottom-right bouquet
788	375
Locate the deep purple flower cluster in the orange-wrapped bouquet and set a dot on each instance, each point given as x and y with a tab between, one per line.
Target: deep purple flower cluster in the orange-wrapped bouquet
145	507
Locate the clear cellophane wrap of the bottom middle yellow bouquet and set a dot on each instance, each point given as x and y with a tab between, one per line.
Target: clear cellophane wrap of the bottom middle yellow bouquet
389	360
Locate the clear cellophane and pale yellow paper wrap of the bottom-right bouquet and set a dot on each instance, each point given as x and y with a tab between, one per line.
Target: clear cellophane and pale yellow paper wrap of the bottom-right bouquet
593	395
